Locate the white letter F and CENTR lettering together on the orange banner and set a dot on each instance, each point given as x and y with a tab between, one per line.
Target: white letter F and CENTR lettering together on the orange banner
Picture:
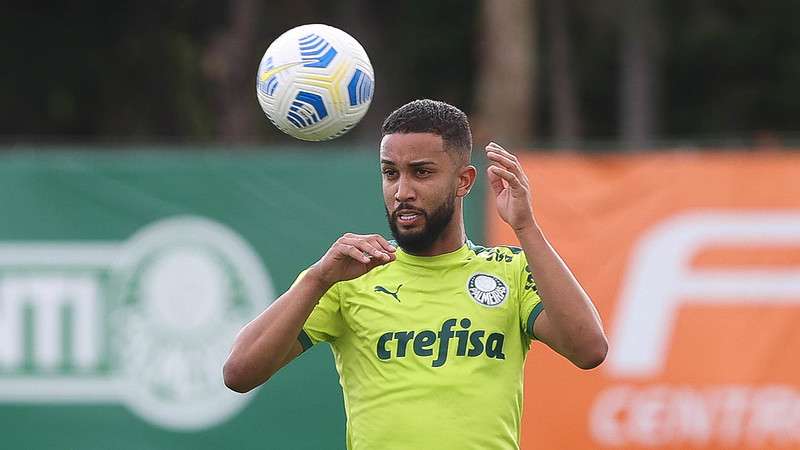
661	281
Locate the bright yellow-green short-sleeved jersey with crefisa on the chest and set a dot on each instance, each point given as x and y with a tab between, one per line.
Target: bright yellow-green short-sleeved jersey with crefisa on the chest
430	350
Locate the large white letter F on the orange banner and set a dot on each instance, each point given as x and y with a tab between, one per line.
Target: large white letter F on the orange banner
660	280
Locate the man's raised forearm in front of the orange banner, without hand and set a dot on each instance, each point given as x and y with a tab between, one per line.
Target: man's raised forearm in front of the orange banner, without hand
573	326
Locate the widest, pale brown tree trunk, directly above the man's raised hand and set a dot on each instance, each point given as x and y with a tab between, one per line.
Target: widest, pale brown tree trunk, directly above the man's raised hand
505	88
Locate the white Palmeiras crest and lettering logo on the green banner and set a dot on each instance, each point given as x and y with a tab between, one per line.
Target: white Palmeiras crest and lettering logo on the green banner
146	323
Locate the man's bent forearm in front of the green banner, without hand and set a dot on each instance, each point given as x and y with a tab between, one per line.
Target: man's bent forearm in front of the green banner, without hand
262	346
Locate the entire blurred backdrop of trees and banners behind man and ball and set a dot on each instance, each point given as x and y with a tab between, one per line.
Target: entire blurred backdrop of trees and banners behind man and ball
150	209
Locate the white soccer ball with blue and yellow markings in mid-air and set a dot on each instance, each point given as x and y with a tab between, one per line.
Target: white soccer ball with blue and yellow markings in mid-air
315	82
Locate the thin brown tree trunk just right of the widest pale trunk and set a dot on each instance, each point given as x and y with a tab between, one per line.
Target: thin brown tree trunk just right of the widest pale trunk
565	116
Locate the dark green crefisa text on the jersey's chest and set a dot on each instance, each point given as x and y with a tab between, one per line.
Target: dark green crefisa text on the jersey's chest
469	342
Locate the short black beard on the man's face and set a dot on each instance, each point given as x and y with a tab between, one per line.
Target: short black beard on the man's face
435	224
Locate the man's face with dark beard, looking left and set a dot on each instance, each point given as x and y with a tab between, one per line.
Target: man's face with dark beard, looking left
419	188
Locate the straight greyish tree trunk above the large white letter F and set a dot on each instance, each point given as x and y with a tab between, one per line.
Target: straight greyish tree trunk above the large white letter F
640	68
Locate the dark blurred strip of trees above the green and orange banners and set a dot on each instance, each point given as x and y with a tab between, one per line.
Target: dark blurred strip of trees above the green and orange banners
631	74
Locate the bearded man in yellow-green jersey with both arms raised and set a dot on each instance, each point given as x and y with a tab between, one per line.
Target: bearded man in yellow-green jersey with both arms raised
430	334
